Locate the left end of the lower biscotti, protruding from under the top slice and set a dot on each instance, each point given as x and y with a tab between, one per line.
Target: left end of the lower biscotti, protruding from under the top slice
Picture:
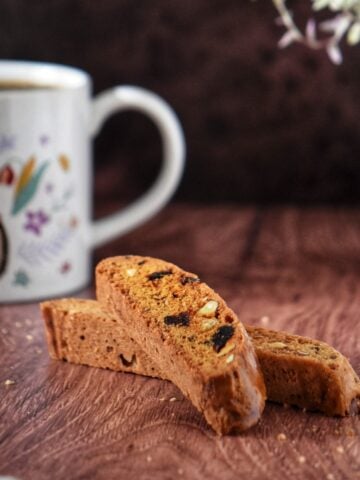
82	331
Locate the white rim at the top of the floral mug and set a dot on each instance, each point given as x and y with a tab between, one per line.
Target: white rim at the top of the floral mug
44	74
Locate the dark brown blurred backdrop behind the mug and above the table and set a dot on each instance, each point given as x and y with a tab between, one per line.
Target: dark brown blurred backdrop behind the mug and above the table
261	124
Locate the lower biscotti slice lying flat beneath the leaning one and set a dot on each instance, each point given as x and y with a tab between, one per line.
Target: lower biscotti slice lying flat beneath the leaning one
297	370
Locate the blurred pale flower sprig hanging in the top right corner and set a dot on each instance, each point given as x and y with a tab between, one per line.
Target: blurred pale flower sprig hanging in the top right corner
346	23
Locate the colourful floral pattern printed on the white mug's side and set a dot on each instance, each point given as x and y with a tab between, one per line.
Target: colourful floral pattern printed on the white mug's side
25	179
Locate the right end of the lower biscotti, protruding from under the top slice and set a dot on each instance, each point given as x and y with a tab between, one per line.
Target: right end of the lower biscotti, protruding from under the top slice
305	372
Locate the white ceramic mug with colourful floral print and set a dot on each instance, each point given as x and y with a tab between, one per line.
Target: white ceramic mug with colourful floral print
47	122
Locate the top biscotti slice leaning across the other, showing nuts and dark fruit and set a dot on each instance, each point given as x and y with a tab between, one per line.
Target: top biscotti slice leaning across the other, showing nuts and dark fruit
191	335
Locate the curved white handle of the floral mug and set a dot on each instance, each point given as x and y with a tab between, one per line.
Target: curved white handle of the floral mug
135	98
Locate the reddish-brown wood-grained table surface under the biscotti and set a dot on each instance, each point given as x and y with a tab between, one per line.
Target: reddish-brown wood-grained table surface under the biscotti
286	268
